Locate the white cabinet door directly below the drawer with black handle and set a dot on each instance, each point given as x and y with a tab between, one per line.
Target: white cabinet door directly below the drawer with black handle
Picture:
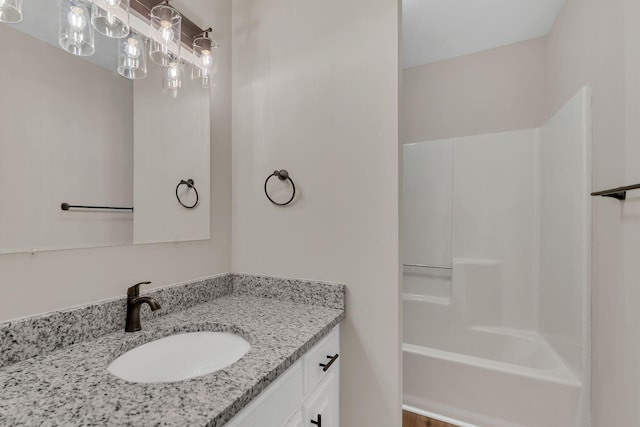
322	406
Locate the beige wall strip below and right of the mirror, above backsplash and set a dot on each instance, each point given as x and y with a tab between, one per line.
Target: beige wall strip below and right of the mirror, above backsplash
53	280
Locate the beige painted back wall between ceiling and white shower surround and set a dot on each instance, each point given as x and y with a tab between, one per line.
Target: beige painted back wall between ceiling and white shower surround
496	90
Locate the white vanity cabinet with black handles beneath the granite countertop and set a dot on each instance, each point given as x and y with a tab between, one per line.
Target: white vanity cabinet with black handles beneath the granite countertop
306	395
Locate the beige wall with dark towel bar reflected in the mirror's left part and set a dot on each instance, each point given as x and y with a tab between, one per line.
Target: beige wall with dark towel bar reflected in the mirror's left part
55	147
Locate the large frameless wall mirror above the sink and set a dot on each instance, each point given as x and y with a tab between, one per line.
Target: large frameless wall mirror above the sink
74	130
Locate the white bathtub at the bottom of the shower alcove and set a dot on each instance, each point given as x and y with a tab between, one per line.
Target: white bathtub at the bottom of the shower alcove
488	377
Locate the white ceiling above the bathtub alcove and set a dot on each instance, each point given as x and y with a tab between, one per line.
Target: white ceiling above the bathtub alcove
435	30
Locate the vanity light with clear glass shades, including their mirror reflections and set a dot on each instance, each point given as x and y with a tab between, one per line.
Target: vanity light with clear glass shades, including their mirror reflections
79	19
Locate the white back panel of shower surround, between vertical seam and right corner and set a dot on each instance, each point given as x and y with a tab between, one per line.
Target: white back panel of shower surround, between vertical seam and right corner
494	215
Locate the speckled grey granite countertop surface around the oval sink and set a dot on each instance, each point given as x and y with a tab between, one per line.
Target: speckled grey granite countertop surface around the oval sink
71	386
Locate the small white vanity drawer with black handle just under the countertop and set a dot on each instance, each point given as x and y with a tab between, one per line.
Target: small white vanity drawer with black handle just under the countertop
321	354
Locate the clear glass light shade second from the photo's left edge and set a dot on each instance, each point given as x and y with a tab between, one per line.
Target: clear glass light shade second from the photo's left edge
75	32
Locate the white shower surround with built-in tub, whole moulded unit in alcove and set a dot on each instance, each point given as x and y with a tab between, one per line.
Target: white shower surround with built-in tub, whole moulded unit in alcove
496	276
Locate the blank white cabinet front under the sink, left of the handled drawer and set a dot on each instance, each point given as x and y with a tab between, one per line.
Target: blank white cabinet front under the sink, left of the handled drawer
275	404
